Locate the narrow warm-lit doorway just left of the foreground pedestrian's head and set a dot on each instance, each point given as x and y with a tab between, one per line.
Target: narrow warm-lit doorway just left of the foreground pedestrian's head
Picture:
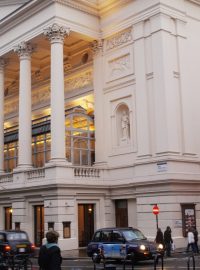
38	224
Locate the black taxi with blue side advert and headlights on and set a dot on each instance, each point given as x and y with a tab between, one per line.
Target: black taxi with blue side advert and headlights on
123	243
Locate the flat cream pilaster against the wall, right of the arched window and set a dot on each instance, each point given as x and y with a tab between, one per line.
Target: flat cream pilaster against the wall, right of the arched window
97	48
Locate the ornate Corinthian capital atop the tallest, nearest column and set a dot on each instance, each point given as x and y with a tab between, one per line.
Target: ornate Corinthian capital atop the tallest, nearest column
56	33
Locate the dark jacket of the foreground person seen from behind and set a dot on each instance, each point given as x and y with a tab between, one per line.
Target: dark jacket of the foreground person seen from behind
50	257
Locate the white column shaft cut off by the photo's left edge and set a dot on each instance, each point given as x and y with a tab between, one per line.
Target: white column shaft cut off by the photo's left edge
1	115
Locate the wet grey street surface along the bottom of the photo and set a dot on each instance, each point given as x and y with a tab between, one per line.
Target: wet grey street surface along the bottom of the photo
172	263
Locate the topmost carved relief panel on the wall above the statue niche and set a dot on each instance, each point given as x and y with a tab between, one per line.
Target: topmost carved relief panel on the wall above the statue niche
119	39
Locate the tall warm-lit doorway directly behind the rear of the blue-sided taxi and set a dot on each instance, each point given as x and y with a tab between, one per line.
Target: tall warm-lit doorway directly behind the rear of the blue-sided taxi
85	223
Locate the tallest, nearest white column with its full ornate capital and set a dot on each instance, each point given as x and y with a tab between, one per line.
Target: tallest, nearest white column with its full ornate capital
56	35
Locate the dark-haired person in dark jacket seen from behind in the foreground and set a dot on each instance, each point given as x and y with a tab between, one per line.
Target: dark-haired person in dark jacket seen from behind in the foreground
49	254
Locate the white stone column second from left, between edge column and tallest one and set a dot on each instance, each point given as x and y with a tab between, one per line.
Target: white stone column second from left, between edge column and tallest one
24	51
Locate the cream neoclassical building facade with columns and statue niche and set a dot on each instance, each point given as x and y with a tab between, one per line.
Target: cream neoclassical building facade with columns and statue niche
99	107
